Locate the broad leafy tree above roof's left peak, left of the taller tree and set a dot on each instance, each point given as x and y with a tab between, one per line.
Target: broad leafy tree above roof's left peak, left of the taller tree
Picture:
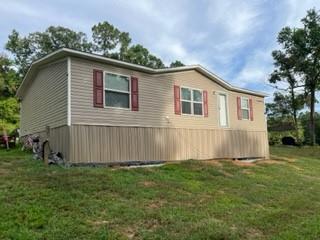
38	44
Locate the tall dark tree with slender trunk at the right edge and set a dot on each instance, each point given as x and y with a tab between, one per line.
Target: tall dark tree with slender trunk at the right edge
301	53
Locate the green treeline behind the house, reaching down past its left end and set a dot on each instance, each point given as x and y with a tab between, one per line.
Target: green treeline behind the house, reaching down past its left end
106	40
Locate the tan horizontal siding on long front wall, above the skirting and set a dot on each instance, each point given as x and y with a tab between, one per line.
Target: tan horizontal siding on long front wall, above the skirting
156	101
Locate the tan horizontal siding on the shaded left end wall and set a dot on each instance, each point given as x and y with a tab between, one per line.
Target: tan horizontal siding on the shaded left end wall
45	102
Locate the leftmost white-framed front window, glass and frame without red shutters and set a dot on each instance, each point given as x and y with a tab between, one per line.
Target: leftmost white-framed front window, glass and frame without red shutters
117	91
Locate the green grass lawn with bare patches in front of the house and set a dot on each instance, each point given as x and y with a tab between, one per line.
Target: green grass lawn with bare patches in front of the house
278	199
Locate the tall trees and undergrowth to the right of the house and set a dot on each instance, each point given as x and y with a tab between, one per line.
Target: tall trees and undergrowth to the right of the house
297	79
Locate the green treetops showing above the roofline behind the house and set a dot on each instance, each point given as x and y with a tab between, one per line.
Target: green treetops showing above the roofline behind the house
106	40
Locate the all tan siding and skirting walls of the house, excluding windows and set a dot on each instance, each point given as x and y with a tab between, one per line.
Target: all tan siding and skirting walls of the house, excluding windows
152	133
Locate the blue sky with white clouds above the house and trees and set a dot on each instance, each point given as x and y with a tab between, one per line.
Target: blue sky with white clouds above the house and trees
232	38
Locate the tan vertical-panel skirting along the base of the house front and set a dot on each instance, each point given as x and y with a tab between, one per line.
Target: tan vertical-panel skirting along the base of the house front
104	144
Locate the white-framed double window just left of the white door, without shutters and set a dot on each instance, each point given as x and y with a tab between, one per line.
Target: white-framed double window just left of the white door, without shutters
191	101
